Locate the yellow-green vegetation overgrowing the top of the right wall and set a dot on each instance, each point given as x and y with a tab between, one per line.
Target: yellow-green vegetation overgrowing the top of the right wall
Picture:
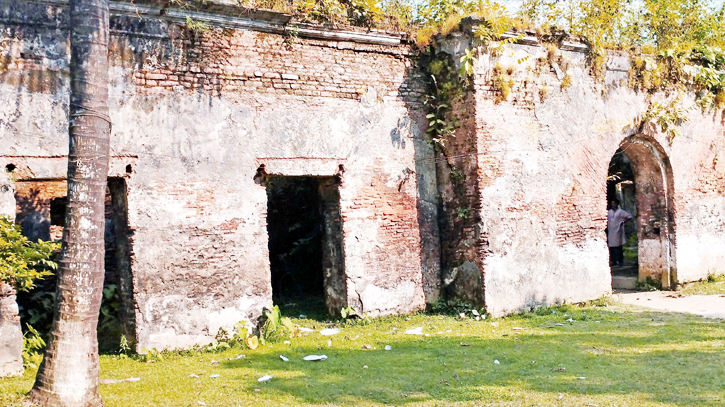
676	47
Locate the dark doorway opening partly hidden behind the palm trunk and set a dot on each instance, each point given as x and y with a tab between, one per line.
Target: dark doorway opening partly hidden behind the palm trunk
41	212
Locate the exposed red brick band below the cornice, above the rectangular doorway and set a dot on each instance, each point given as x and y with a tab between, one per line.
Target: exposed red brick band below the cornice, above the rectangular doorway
223	60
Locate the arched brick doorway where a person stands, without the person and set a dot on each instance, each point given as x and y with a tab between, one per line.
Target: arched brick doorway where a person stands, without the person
640	178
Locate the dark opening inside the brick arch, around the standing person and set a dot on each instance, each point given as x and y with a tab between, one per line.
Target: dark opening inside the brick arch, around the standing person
621	188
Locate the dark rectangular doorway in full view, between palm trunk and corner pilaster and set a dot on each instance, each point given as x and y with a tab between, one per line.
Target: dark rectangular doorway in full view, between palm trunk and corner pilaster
304	225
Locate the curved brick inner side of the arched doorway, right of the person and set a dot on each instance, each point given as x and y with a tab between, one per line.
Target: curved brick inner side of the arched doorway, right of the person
654	192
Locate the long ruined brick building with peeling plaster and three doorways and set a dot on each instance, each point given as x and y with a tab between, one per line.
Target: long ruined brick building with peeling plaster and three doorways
214	130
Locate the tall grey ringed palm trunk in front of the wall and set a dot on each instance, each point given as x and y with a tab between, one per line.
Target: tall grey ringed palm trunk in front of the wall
69	373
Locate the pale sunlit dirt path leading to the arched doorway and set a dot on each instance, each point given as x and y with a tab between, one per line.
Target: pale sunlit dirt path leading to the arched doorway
709	306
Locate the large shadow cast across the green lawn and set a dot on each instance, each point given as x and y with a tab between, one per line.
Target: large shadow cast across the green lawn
646	357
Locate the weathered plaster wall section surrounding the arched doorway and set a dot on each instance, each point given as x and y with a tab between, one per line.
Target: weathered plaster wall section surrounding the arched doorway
542	158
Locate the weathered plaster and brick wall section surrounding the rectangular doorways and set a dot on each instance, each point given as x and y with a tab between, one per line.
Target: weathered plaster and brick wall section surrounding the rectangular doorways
195	115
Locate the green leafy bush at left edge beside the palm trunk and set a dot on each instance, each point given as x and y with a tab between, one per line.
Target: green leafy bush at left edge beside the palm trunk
23	262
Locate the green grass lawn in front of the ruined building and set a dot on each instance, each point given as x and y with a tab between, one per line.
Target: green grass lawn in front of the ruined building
564	356
